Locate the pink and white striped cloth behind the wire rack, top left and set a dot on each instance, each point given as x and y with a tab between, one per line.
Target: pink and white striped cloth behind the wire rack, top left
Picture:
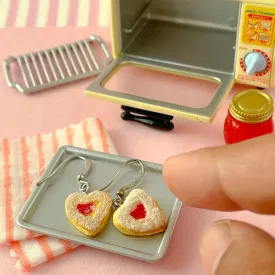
53	13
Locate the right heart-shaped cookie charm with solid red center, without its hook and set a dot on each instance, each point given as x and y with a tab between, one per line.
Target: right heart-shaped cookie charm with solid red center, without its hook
140	215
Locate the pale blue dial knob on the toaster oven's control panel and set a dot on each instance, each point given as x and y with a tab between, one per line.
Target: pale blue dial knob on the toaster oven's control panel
255	63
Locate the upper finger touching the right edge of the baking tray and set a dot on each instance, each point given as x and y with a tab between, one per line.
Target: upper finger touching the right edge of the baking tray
227	178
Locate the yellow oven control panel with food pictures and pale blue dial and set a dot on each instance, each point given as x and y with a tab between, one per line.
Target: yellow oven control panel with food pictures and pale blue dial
255	50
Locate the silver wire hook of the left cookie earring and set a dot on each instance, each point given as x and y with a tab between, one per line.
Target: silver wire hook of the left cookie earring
84	185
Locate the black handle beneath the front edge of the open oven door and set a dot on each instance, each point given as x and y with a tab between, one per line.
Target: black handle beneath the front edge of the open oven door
151	119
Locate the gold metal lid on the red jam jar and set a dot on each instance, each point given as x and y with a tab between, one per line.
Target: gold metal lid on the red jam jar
252	106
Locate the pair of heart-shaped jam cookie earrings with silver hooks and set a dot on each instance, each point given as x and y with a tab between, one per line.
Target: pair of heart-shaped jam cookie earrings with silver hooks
138	215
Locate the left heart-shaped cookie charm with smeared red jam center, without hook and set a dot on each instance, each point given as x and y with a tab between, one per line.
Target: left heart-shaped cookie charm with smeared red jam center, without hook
88	213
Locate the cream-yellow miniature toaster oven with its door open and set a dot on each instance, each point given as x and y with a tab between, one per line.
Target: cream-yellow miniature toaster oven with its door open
226	42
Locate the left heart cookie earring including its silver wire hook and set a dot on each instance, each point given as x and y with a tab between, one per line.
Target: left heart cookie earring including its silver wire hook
88	212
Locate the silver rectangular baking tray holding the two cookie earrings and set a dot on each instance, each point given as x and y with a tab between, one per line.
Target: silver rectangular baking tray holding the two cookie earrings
44	211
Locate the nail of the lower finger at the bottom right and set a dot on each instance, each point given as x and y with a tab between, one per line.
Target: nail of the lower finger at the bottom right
214	242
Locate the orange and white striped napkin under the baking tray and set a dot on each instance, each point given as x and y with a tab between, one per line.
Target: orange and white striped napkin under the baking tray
22	162
